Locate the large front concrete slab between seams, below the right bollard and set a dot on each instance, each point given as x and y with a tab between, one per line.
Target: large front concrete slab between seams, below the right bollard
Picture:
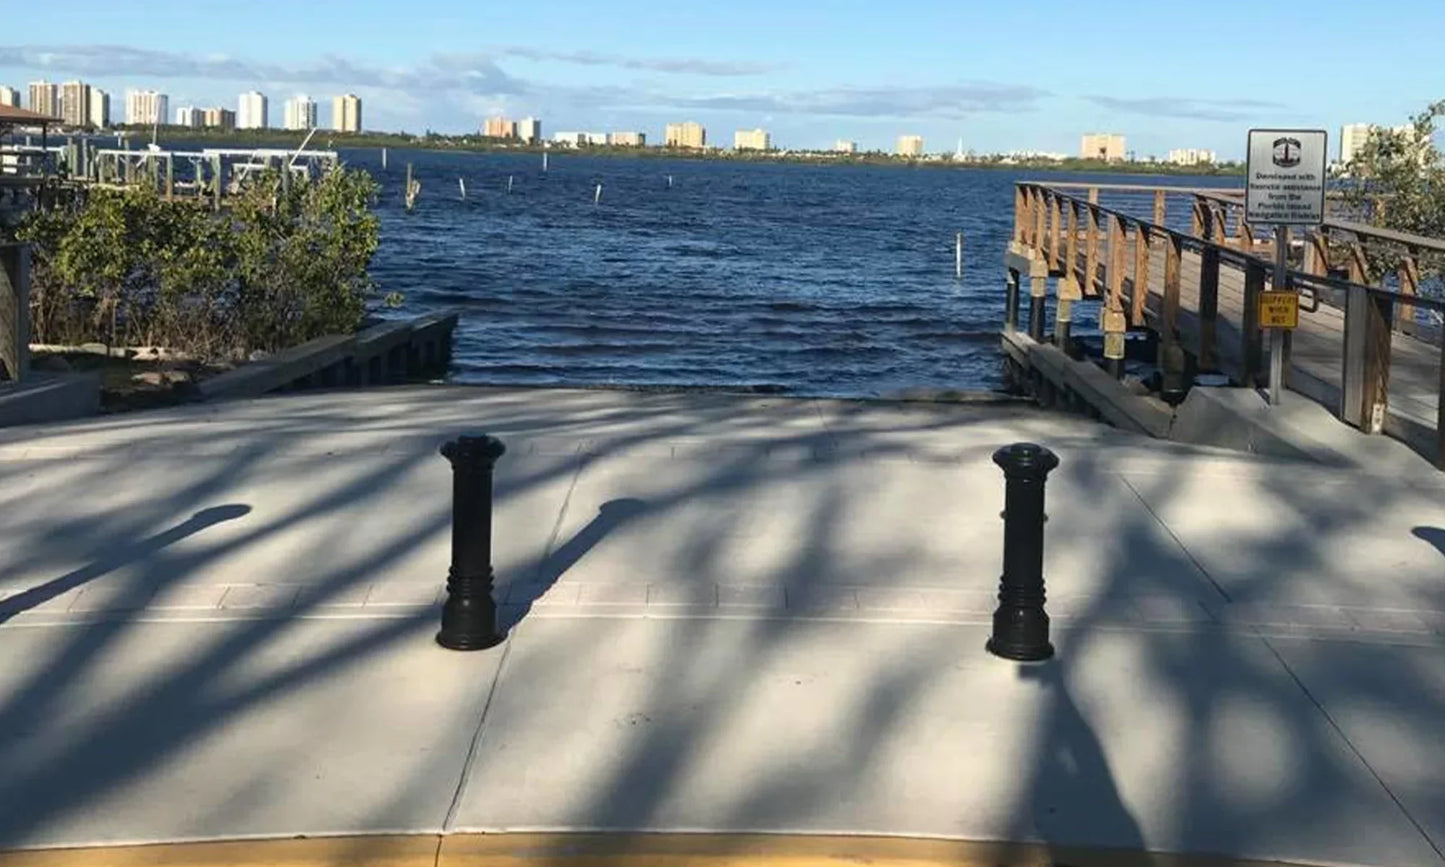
1167	742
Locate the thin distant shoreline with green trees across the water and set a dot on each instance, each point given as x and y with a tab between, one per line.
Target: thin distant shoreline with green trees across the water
330	141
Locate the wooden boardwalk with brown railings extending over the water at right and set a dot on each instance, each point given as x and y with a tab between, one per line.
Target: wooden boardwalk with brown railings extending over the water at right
1200	293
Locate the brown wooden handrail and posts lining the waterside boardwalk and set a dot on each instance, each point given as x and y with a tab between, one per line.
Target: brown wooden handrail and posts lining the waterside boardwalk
1099	243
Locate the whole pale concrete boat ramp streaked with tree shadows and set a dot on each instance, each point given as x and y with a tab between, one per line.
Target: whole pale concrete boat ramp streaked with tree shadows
743	631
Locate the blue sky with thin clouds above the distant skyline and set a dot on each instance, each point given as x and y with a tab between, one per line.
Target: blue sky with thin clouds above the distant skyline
1001	76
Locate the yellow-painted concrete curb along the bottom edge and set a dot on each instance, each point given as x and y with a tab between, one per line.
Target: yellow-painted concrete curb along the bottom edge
609	850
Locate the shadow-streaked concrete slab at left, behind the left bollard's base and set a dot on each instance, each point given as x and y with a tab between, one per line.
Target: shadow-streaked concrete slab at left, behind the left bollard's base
322	522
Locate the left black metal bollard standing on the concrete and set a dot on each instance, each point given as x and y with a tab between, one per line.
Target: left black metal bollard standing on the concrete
470	616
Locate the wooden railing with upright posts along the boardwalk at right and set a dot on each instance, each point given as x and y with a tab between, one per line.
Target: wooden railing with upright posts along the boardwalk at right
1103	242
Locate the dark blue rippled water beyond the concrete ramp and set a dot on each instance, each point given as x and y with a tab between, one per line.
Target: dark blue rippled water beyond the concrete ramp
807	280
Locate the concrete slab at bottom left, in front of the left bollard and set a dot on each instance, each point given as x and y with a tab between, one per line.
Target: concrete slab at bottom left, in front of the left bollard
147	733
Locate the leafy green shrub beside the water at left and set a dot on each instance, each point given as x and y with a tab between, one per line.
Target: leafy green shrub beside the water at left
282	265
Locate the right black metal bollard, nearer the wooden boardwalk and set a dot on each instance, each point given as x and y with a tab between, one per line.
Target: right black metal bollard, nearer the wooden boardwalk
1021	626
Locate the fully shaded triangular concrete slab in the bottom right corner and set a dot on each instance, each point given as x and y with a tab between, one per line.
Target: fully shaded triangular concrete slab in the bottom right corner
1389	703
